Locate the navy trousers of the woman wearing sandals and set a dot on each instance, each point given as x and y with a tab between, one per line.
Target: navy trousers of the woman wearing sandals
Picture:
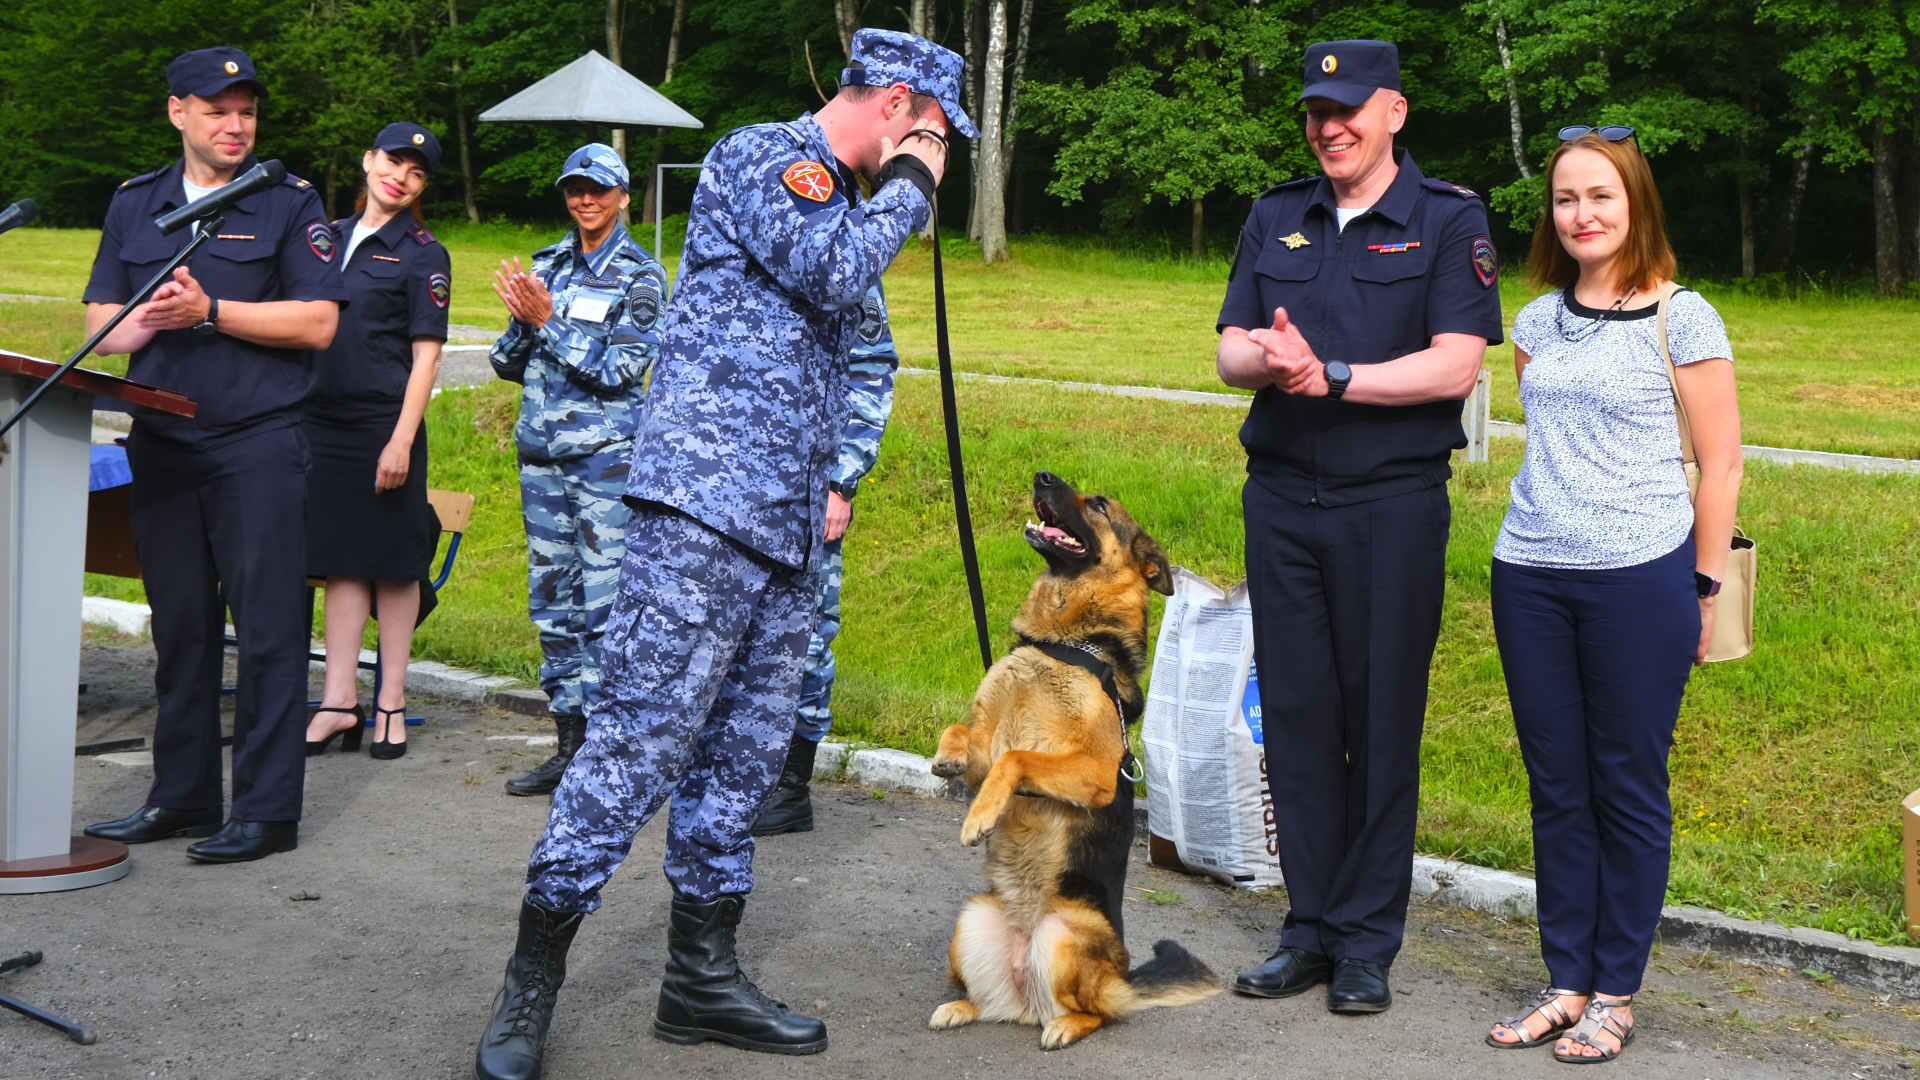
1596	666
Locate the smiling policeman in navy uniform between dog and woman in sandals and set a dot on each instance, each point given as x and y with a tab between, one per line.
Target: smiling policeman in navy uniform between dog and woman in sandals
1360	308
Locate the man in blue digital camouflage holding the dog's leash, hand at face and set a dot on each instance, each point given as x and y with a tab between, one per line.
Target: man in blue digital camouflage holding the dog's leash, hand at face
708	639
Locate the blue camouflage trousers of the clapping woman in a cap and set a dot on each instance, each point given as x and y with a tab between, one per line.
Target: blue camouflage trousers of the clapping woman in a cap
575	535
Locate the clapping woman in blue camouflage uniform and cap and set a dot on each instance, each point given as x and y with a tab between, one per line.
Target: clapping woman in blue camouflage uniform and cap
583	341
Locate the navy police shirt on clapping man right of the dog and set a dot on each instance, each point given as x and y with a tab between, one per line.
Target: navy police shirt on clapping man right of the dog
1418	264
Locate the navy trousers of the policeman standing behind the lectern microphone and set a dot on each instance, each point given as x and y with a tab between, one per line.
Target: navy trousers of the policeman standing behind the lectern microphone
226	529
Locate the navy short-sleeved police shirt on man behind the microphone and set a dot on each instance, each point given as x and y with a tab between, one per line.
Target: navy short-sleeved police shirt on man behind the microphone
276	245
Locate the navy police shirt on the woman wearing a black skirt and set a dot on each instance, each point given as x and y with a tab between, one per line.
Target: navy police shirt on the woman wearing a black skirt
400	283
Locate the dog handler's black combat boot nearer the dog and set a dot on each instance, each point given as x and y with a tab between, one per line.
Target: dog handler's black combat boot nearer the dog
708	998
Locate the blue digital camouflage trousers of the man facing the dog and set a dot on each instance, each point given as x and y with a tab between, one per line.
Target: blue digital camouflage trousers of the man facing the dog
702	672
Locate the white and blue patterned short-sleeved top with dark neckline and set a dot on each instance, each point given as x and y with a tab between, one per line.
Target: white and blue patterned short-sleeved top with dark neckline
1602	485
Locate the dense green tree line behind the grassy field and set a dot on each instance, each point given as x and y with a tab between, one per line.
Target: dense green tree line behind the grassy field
1783	132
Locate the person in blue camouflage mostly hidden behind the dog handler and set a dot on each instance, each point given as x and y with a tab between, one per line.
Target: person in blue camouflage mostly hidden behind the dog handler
871	374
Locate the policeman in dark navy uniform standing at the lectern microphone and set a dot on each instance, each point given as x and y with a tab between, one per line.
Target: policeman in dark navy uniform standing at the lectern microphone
220	501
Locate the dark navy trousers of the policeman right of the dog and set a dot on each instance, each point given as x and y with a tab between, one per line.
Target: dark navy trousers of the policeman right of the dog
1347	612
